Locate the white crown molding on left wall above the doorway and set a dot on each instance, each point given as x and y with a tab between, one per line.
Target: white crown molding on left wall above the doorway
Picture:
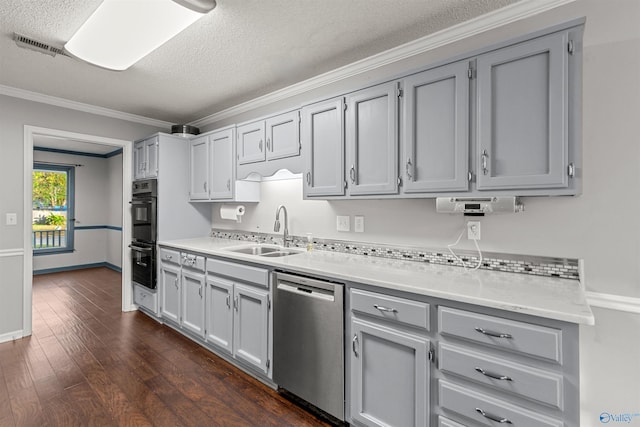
79	106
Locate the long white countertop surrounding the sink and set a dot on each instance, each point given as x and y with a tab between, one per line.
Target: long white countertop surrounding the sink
549	297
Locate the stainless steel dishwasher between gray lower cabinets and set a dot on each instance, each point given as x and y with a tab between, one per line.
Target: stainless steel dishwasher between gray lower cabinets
308	346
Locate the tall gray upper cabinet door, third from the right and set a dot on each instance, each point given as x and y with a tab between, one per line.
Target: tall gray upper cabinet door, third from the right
372	140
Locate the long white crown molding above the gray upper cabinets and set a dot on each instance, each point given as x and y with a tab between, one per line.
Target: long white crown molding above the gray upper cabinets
515	12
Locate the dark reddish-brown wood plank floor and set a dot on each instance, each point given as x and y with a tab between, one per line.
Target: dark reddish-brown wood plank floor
89	364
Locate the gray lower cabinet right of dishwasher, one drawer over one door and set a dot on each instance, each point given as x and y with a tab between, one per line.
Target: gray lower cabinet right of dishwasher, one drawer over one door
389	361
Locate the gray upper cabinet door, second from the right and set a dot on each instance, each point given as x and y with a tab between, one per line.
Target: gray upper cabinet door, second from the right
436	130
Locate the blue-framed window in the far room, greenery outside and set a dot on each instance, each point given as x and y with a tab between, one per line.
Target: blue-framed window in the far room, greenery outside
53	215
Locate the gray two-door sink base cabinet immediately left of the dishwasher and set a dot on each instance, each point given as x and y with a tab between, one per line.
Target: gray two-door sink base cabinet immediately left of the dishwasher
238	309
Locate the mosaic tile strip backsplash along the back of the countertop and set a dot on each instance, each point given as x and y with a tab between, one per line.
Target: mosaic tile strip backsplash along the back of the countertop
565	268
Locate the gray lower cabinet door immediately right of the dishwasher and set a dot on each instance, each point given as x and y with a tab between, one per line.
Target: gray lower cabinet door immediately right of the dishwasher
389	377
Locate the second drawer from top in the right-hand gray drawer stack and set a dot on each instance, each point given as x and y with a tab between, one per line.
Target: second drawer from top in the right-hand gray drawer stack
511	377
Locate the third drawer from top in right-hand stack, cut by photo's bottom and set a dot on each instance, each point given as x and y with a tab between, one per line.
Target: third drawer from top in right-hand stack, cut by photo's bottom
487	410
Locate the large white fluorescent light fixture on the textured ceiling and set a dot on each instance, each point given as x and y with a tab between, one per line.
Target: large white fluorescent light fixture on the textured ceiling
121	32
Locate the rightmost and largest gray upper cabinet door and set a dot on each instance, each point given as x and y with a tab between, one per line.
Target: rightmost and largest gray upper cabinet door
522	116
